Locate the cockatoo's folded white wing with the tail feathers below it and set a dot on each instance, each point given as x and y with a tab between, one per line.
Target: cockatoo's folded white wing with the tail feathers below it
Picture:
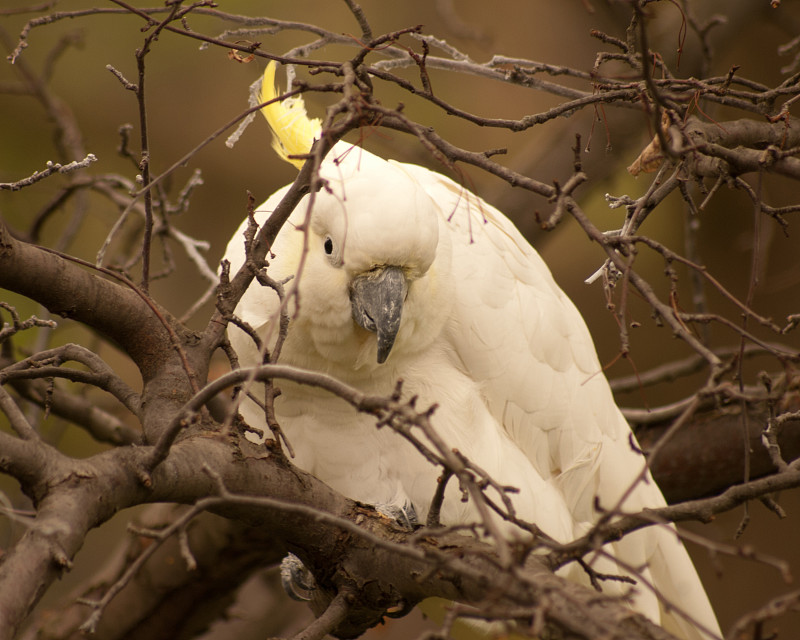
542	381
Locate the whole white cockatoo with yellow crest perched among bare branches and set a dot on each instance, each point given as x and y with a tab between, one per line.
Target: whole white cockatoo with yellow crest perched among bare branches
407	275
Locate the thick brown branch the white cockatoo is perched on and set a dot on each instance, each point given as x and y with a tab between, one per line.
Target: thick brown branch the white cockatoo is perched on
464	573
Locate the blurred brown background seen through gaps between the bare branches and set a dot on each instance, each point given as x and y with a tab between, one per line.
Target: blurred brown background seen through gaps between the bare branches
192	92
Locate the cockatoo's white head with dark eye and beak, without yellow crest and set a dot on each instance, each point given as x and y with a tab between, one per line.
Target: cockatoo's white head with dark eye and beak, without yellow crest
376	233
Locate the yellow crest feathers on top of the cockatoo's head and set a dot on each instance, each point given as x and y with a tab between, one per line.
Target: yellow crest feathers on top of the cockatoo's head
293	132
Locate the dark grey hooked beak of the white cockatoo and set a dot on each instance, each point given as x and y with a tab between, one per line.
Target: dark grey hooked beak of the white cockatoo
376	298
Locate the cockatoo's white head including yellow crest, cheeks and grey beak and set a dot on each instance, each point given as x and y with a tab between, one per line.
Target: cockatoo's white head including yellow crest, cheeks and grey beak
365	262
